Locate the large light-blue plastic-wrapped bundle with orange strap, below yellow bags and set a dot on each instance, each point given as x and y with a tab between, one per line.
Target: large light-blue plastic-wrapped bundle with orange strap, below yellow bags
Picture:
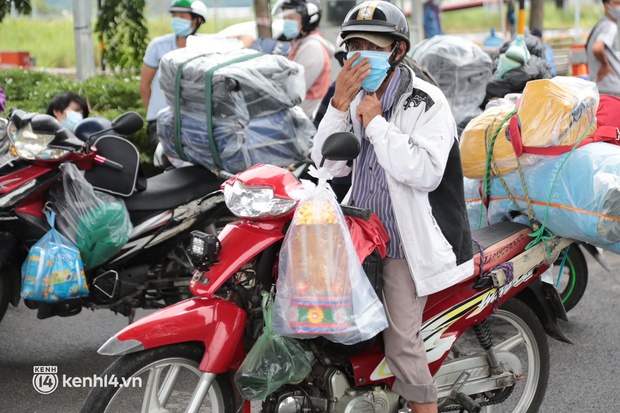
576	195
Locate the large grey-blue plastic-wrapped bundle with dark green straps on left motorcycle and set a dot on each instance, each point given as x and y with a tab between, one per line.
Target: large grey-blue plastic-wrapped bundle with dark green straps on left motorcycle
232	108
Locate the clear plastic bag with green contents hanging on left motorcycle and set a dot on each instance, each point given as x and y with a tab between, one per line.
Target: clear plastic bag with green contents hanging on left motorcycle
98	223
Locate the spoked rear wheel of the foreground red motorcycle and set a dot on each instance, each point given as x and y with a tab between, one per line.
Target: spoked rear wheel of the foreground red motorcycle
514	328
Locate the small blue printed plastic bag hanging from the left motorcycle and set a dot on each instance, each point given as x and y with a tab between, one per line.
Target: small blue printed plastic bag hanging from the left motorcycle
53	270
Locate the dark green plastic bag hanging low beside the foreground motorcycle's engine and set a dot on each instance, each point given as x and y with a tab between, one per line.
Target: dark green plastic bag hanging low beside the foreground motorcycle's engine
272	362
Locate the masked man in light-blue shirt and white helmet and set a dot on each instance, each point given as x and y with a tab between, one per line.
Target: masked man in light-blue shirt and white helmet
187	16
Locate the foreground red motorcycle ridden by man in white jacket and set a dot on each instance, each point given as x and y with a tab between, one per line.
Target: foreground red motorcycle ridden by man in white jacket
485	337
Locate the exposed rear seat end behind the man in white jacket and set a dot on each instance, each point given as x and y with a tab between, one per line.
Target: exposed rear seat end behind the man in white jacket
500	242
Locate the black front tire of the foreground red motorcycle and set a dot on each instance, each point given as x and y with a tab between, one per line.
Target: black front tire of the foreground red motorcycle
127	365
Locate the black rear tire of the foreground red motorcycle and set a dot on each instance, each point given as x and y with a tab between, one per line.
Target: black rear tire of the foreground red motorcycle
525	313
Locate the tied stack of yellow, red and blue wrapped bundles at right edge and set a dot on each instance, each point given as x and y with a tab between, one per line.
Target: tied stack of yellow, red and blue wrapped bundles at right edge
573	184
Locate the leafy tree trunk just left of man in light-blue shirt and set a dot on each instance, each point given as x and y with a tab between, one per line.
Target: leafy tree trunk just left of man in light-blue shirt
121	30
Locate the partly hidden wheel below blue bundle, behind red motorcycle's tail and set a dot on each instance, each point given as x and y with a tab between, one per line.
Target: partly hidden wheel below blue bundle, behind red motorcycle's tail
574	278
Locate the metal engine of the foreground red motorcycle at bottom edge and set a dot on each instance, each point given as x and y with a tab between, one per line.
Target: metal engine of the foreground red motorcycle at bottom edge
340	398
